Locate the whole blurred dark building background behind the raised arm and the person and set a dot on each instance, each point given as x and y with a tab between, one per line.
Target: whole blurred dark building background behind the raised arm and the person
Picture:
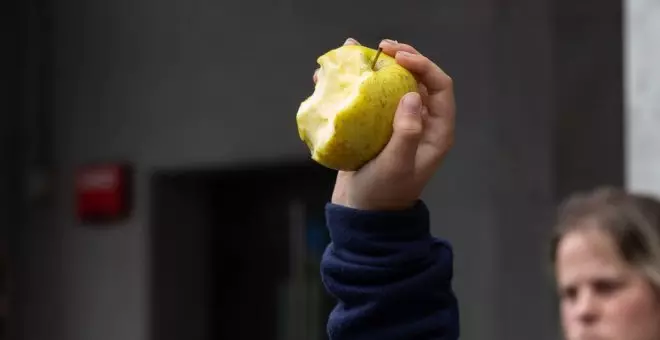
218	228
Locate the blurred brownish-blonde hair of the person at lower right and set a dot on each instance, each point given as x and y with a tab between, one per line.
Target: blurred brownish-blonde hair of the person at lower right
632	220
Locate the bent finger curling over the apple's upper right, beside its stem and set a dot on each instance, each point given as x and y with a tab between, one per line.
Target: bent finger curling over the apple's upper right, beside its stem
430	74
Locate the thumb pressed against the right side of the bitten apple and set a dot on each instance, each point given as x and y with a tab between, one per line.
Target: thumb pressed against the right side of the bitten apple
407	133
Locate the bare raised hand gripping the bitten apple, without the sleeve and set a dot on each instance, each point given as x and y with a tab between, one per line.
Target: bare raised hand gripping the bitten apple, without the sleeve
422	135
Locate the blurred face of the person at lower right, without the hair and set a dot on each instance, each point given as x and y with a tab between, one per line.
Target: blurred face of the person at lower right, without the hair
602	297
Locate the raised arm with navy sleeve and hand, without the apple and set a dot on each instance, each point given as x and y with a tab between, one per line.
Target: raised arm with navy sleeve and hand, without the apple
392	279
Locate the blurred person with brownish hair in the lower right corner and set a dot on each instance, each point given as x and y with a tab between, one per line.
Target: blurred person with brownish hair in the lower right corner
606	256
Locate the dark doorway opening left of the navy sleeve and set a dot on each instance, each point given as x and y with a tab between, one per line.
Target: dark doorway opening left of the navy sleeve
236	253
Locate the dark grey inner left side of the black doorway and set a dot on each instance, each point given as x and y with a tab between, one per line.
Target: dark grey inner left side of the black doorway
180	295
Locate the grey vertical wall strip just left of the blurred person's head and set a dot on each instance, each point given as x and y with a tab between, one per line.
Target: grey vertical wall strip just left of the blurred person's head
522	87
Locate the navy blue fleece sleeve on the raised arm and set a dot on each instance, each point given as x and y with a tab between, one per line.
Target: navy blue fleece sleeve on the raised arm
391	278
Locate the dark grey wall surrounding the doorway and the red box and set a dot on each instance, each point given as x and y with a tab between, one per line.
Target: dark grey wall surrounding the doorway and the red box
174	84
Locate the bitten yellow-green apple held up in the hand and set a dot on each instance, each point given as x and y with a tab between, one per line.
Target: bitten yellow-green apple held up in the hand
362	123
